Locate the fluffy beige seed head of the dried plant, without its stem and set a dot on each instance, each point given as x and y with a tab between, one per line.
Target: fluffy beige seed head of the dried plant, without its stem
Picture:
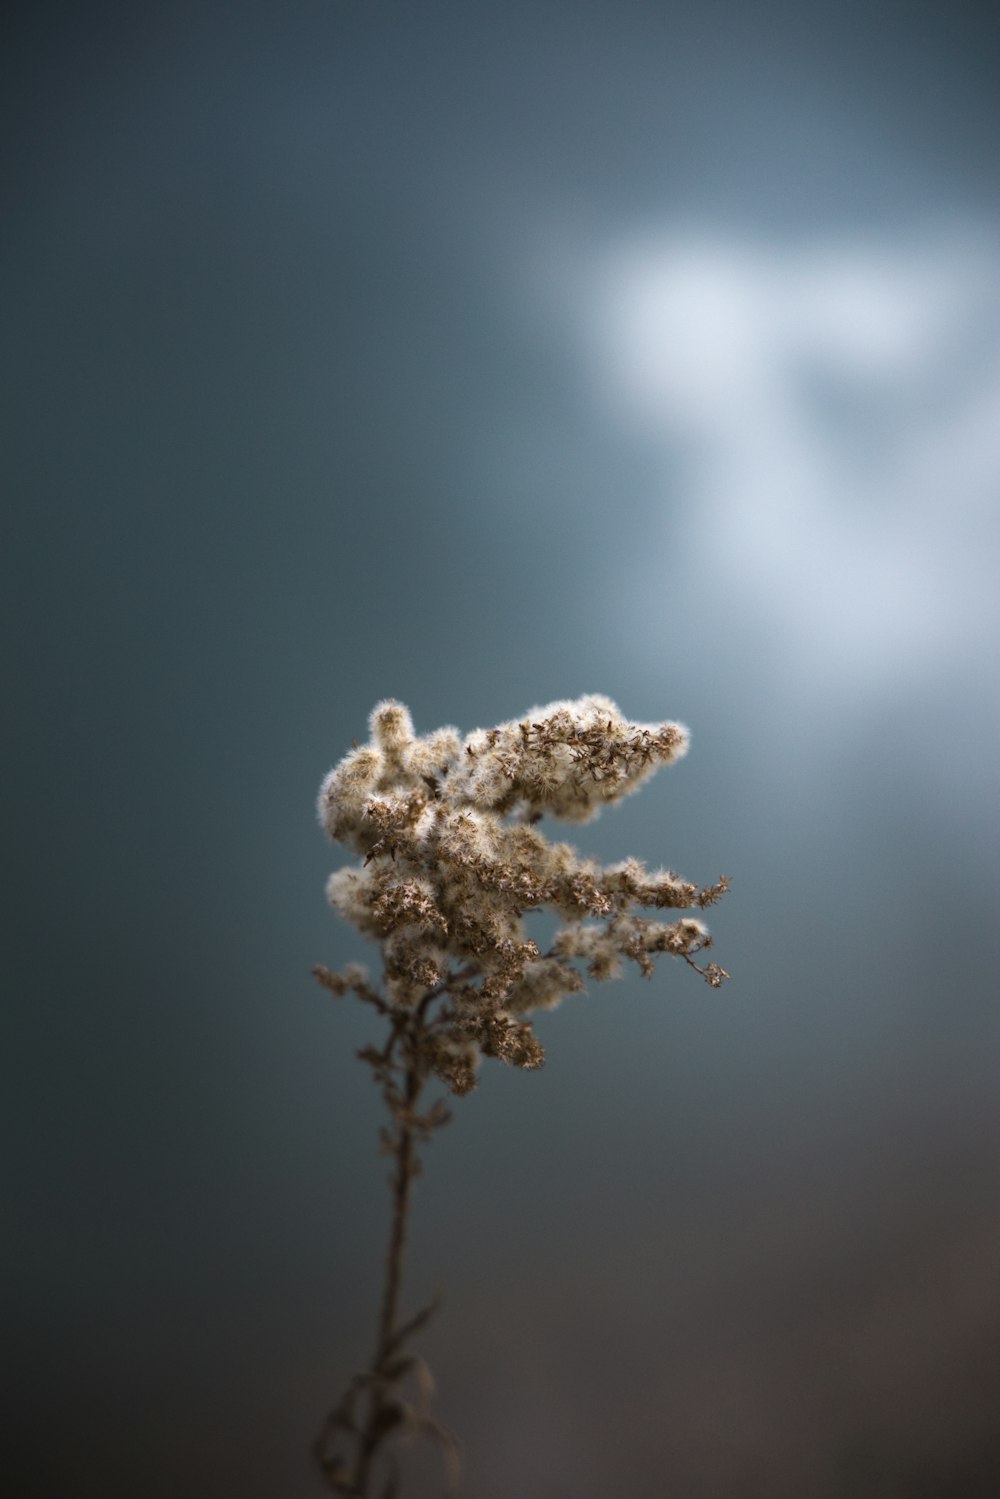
452	860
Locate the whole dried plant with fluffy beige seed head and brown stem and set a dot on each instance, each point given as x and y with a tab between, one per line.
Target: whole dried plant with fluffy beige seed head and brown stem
451	861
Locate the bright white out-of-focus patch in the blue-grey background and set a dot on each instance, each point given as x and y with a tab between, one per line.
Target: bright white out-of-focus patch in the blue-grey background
837	410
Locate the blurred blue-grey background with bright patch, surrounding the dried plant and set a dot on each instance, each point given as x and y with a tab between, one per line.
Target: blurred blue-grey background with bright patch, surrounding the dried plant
482	356
